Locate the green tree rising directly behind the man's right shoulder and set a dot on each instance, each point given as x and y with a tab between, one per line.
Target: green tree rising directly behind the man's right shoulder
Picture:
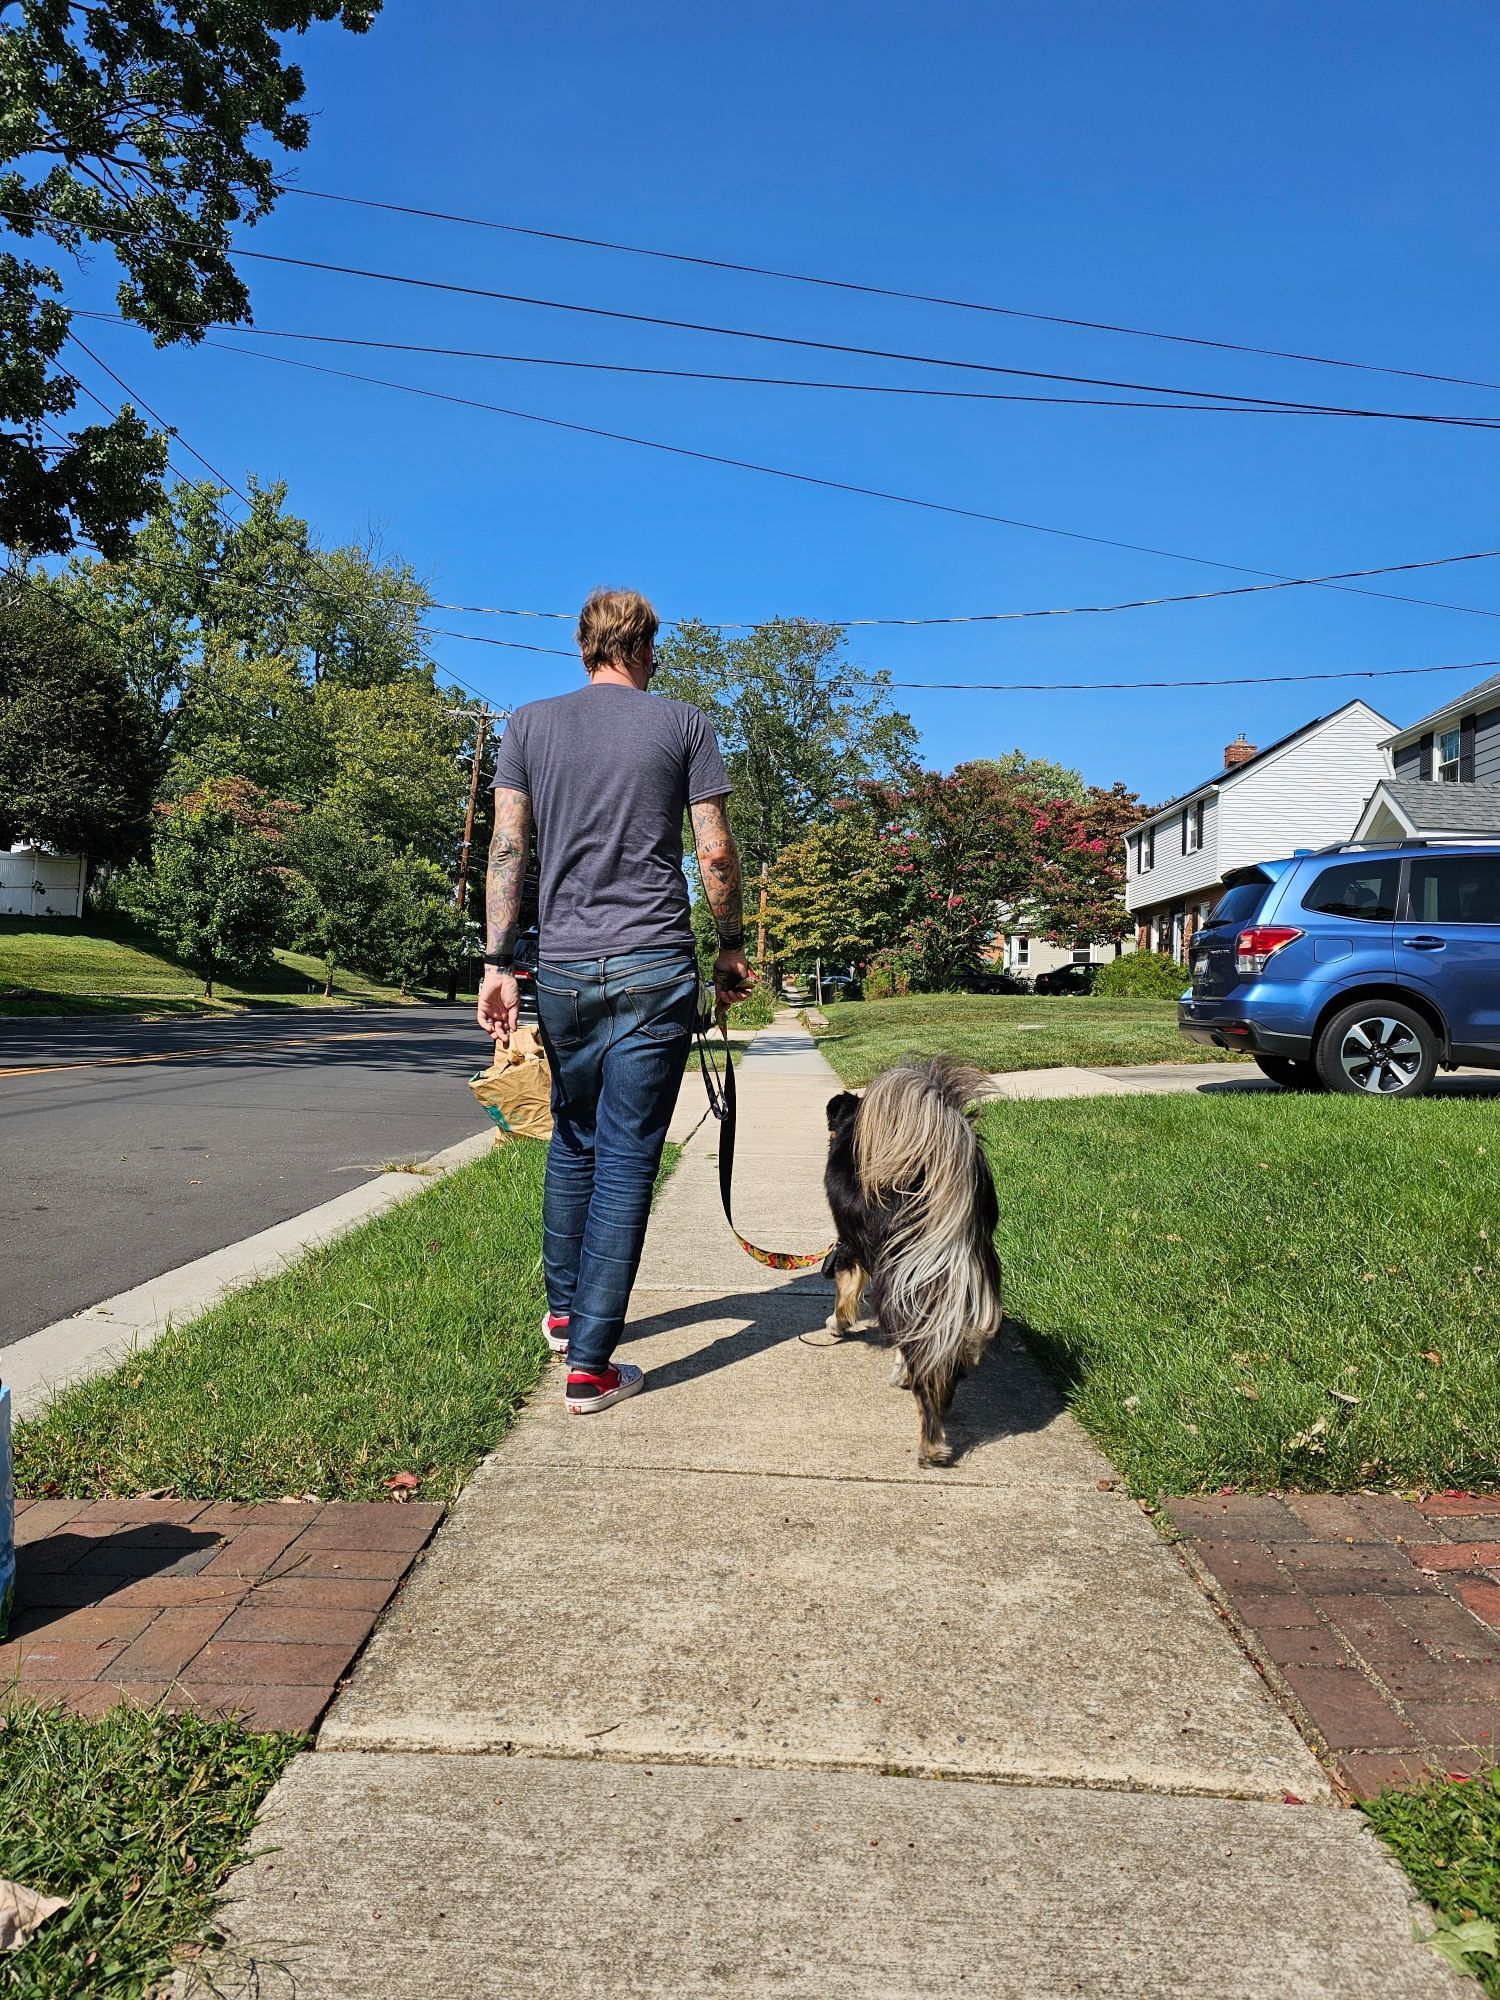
797	723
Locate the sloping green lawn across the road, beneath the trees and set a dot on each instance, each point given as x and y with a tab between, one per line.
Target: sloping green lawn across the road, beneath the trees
65	967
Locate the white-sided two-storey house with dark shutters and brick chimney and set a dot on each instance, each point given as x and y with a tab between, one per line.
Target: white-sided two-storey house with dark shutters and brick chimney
1305	791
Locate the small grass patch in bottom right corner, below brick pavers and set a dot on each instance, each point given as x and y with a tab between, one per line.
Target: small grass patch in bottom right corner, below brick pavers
1447	1837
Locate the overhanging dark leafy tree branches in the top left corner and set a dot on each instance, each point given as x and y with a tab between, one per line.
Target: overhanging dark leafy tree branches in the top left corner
137	127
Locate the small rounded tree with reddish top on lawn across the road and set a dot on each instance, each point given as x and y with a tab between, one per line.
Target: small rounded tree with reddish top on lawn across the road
215	891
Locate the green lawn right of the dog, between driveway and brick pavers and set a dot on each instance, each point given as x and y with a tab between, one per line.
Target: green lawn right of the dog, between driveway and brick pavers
1263	1291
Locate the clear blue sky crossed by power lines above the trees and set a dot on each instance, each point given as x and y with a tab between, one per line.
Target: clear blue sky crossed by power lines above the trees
1315	179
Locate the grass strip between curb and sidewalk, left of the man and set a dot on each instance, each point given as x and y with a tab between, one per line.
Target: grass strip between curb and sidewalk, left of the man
403	1347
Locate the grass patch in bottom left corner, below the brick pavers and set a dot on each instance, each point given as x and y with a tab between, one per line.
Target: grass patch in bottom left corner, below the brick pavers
139	1819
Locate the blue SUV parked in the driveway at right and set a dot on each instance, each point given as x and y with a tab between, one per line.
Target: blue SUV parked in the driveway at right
1357	969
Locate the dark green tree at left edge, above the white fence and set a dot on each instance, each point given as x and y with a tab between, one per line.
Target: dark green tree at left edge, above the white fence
77	749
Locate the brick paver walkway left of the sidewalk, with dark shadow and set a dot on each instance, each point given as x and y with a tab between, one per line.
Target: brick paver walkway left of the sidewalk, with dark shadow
253	1611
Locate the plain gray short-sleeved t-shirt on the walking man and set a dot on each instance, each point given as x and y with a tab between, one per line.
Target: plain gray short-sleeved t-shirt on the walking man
609	773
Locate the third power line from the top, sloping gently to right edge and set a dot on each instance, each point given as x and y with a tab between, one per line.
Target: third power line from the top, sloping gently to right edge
1229	407
